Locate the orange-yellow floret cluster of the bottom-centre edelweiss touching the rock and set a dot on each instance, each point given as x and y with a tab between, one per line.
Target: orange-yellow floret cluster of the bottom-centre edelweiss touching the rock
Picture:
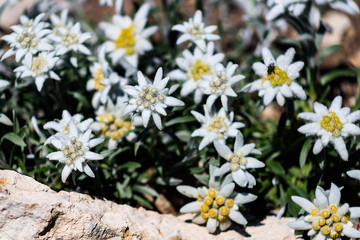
215	206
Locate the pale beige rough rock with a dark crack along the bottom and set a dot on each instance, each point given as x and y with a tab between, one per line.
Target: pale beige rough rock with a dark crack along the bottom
31	210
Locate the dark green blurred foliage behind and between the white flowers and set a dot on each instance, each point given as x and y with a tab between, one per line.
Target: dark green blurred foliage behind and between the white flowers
145	173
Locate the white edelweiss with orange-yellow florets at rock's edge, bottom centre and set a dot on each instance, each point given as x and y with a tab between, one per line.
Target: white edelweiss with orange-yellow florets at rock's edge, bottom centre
217	205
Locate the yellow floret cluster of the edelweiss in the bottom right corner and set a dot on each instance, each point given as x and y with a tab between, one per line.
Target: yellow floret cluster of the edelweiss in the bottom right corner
328	221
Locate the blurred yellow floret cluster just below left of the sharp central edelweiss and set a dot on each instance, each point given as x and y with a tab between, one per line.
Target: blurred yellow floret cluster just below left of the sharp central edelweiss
113	128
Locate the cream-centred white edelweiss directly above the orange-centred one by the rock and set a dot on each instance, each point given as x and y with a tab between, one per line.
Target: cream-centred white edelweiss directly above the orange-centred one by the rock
238	161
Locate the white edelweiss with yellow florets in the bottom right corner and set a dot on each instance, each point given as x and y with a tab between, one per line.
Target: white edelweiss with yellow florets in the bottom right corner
326	218
